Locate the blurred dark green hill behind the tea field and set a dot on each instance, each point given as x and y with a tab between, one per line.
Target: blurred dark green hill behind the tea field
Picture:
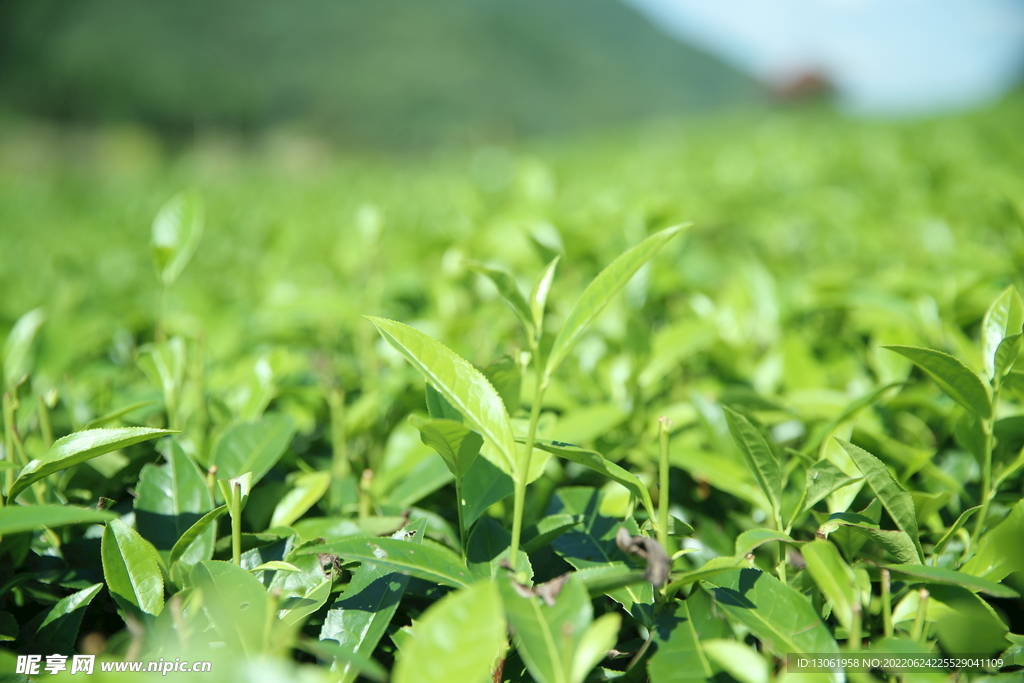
369	71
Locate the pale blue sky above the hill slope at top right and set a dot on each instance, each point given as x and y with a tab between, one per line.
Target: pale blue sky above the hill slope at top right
882	57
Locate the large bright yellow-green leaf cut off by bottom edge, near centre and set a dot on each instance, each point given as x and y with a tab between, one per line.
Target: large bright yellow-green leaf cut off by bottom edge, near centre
459	638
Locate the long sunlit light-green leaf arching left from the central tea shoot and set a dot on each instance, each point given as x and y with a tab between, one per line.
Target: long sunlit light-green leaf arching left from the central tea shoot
460	383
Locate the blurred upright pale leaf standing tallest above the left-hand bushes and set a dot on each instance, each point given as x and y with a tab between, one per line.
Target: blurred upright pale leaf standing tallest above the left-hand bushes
177	233
